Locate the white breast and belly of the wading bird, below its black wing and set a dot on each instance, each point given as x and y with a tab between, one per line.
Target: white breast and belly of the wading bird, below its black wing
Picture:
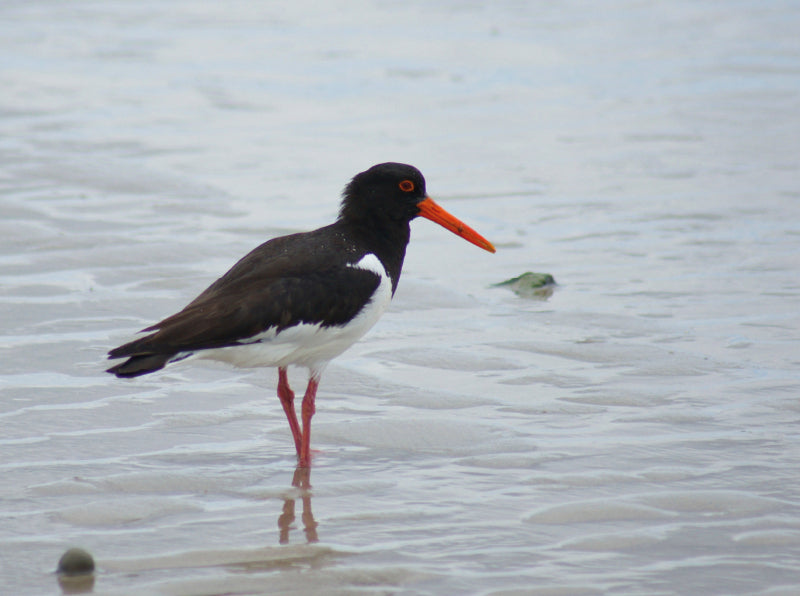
310	345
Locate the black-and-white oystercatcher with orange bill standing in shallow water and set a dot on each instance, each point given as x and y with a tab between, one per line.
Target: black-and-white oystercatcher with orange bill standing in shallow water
302	299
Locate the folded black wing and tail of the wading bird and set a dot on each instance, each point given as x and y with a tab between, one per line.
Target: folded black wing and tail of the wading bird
276	286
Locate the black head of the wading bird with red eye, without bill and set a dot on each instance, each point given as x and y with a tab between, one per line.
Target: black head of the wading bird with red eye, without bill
388	191
